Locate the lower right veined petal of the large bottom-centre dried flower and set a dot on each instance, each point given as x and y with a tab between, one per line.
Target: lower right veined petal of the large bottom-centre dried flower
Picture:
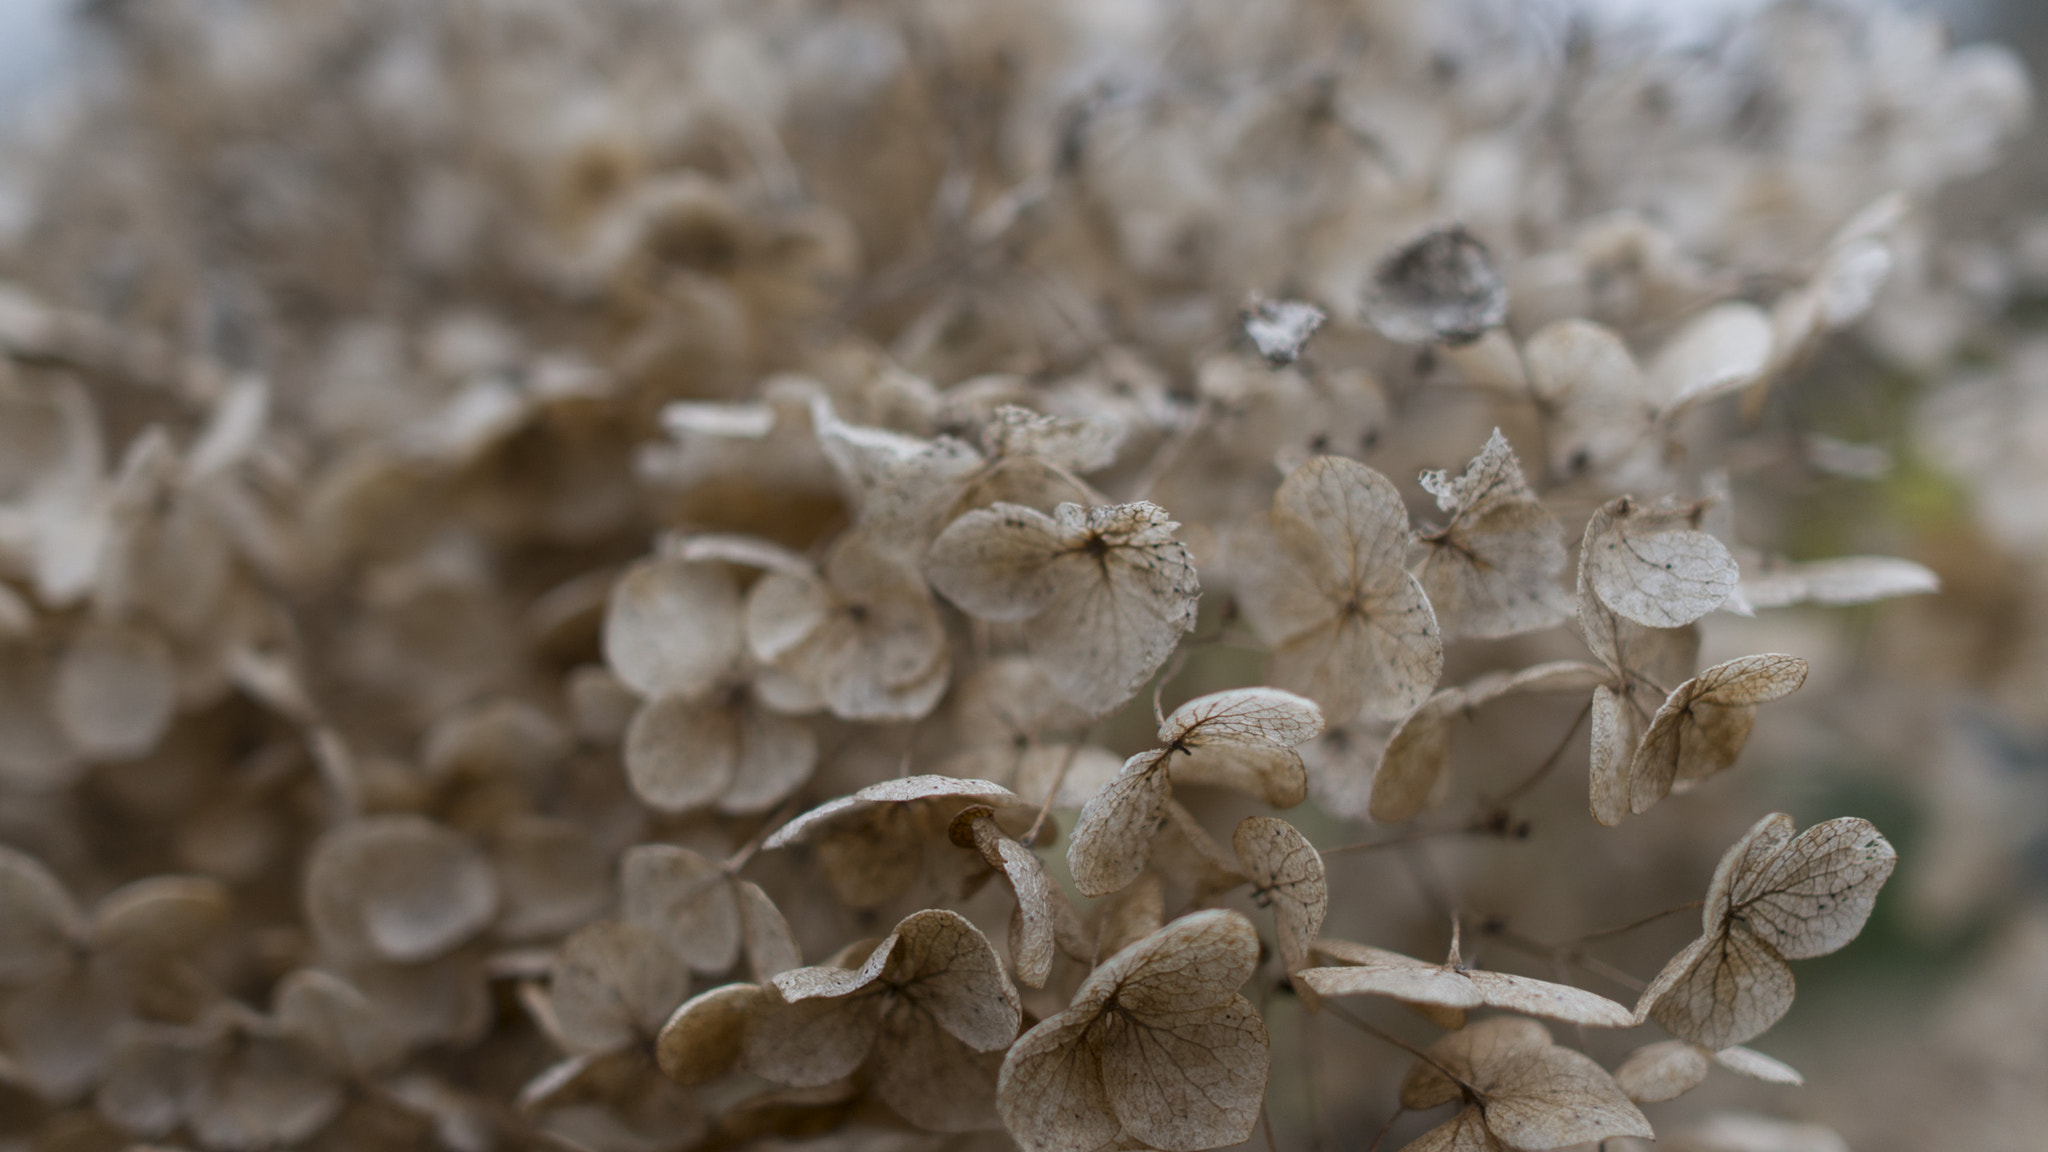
1187	1079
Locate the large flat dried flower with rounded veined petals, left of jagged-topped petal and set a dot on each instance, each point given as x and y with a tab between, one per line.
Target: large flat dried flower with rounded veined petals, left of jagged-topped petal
1351	626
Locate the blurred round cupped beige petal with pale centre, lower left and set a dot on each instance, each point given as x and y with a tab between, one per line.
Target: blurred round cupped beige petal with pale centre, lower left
398	887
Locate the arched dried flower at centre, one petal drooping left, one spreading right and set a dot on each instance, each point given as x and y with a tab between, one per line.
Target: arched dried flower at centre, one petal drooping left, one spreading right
1240	739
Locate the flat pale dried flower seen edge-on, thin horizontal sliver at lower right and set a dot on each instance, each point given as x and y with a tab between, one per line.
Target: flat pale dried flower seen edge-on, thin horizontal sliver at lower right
1379	973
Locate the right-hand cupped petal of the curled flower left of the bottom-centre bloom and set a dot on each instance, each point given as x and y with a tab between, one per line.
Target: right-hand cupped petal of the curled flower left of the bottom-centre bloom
949	971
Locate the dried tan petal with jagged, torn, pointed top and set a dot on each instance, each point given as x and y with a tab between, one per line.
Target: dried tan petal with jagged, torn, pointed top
1494	569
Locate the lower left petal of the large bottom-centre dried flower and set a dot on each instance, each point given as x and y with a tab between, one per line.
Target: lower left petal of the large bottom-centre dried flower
1050	1094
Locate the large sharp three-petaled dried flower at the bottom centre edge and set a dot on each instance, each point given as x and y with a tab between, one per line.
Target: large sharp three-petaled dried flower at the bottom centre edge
1158	1046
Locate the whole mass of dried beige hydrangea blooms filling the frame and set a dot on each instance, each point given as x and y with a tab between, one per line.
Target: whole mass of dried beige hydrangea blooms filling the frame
550	554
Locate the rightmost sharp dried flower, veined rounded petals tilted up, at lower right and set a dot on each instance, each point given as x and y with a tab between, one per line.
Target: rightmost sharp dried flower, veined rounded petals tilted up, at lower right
1775	897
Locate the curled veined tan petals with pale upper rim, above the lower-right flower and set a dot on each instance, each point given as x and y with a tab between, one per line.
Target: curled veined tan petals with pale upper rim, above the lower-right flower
1705	723
